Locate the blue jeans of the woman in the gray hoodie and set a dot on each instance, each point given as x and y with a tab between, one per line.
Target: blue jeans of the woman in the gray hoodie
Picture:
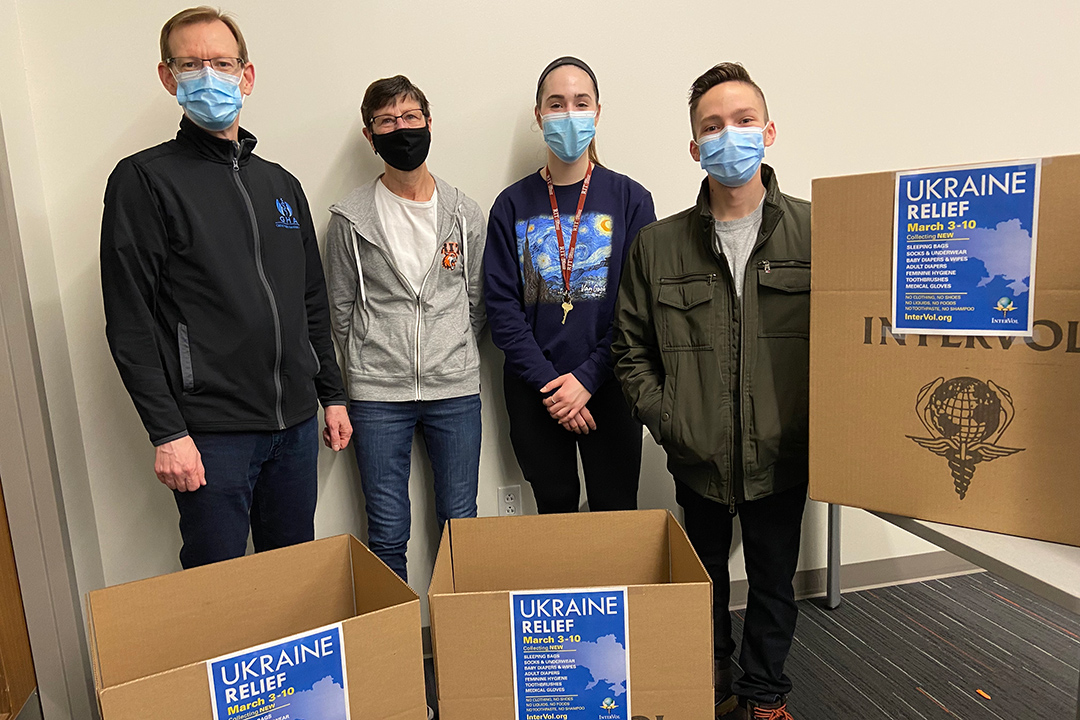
383	439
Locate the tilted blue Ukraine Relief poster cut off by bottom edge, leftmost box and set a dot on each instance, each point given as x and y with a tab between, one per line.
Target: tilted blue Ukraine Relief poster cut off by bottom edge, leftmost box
299	678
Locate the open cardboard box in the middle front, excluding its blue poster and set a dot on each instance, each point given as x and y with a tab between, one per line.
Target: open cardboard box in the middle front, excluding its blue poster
669	606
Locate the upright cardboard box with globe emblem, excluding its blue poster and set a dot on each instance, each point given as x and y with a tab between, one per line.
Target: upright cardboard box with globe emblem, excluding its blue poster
873	444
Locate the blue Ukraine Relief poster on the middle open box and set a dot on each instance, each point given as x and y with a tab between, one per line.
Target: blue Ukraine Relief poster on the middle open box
572	657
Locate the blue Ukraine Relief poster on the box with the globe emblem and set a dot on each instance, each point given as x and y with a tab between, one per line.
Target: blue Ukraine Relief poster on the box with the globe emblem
964	250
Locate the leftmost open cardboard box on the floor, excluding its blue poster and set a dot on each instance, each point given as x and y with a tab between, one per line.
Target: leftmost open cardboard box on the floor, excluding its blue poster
150	641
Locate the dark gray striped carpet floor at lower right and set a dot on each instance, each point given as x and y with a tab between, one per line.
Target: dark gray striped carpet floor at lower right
966	648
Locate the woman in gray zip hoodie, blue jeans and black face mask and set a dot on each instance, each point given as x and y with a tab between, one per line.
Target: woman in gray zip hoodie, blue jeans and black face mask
403	256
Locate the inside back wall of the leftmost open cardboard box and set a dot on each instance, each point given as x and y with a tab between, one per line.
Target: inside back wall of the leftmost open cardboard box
155	626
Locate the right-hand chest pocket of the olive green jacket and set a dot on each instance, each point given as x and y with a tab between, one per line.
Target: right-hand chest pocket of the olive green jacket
784	300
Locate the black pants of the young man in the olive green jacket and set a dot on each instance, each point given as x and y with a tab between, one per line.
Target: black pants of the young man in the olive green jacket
772	528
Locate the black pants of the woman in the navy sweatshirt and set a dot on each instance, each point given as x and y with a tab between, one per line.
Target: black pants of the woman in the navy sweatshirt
548	455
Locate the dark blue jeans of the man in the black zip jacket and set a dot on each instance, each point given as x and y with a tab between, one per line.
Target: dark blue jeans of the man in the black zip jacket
266	483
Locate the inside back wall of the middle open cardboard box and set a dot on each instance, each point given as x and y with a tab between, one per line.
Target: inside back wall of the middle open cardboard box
579	550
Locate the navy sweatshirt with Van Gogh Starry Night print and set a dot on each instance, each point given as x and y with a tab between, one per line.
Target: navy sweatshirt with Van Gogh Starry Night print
523	281
